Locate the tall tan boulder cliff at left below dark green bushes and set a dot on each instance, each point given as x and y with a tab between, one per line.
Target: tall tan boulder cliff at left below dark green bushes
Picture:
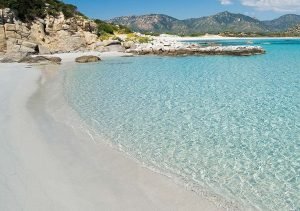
44	36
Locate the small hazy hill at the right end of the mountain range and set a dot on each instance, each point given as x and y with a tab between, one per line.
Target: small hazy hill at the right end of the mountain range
283	23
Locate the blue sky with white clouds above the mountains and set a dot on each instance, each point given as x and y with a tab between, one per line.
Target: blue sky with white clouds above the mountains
183	9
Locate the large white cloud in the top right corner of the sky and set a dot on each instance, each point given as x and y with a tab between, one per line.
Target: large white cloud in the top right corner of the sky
274	5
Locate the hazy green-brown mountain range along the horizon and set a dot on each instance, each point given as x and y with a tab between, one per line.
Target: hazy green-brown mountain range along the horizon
221	22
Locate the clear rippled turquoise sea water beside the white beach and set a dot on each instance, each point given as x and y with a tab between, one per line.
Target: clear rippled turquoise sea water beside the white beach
228	124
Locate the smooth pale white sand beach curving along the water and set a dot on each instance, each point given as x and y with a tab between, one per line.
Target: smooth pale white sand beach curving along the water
45	165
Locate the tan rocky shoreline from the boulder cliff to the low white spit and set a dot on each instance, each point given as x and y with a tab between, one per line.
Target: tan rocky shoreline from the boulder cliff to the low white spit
59	34
